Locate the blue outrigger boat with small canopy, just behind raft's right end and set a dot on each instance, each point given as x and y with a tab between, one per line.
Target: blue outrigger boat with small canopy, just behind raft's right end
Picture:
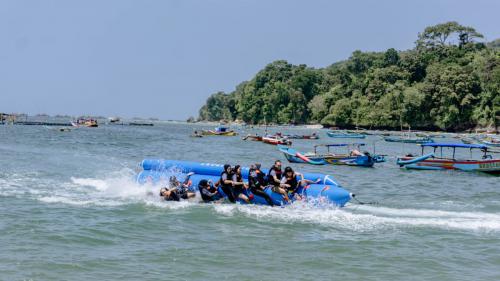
353	157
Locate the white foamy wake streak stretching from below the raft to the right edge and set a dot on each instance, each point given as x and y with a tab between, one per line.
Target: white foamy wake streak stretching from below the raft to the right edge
366	218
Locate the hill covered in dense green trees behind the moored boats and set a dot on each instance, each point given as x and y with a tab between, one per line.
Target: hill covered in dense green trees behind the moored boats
450	80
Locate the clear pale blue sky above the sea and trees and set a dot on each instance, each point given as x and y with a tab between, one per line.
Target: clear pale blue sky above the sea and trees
164	58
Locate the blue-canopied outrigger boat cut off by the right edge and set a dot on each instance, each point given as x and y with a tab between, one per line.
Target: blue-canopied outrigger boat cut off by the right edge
431	162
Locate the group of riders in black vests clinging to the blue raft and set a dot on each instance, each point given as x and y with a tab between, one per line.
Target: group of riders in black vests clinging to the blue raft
284	182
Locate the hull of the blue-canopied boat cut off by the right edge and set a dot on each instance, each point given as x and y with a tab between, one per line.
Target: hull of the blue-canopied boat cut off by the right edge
429	163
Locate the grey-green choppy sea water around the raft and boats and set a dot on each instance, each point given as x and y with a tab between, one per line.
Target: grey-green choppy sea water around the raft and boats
71	210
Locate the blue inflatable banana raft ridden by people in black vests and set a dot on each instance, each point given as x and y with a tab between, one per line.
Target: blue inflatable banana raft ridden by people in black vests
158	171
